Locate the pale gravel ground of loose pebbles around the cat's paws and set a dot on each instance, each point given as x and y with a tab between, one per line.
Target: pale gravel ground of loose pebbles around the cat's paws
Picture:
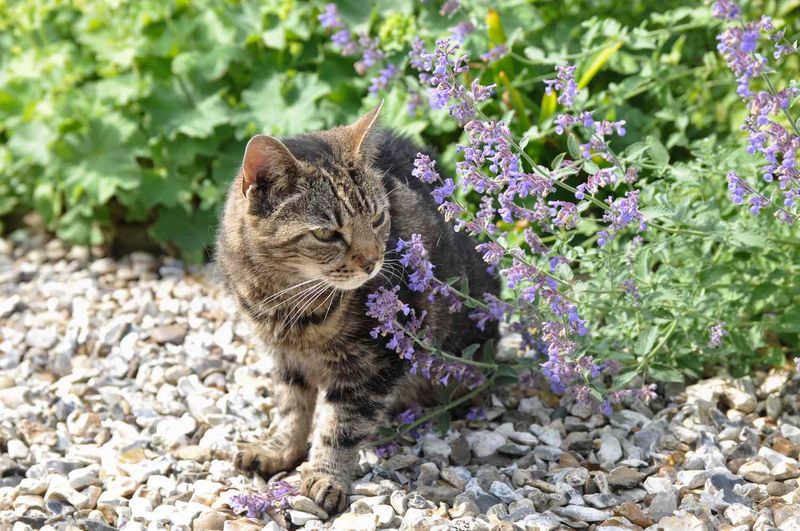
124	386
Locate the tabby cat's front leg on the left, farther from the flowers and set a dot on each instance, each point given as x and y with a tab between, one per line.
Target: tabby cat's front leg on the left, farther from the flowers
288	444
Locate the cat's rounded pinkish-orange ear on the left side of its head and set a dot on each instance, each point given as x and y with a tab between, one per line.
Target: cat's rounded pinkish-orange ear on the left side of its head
268	162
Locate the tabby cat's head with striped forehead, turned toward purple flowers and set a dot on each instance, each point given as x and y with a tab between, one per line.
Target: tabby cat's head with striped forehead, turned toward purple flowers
314	206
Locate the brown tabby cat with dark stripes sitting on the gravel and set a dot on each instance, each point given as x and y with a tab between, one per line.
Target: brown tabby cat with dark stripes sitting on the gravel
306	234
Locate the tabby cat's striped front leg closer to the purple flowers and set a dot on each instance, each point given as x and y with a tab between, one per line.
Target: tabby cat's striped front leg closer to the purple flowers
347	416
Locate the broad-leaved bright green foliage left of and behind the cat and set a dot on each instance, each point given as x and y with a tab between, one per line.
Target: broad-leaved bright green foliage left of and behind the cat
114	113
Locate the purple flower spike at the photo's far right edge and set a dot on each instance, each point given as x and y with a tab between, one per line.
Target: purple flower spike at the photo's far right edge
772	132
